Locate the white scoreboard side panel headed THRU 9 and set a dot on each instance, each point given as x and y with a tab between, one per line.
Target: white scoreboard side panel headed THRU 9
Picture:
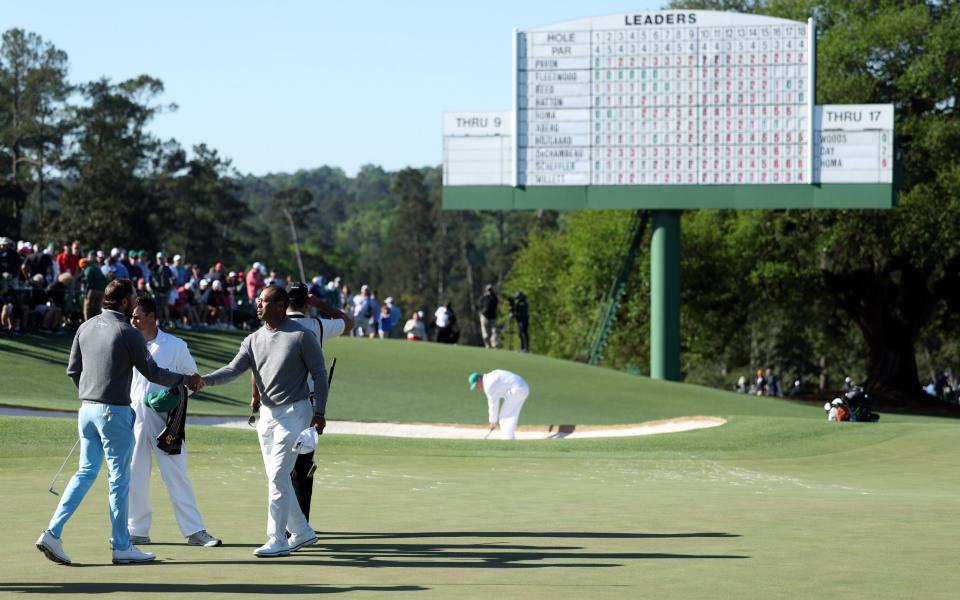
478	148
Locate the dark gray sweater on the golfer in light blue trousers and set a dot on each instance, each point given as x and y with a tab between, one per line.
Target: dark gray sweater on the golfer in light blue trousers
105	351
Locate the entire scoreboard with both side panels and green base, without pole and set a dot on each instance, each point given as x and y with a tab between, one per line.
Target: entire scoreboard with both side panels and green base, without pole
675	109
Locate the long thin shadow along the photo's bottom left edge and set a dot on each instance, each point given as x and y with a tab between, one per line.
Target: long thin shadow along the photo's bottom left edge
214	588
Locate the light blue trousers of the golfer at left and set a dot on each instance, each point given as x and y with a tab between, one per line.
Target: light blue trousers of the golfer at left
105	431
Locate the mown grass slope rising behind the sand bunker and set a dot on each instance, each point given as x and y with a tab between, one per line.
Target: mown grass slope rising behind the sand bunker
405	382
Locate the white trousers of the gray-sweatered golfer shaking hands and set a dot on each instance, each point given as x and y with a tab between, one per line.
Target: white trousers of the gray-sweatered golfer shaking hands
278	430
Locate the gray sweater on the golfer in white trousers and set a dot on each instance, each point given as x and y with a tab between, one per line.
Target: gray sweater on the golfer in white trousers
281	360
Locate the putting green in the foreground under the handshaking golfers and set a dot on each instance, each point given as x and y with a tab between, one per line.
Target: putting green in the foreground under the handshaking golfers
763	507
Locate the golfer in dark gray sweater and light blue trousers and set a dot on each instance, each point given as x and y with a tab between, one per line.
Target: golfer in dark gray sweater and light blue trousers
105	351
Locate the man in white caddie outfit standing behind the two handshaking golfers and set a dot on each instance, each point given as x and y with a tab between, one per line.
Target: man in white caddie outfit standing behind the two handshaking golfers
169	352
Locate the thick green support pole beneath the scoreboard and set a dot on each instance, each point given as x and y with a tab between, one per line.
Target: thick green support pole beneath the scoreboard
665	296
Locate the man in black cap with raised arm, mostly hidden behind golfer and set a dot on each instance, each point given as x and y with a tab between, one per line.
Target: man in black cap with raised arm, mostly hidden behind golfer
332	323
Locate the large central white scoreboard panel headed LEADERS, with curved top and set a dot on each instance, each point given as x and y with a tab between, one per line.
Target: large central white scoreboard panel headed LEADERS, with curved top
665	98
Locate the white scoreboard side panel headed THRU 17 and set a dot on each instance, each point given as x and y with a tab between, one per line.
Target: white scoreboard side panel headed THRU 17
853	143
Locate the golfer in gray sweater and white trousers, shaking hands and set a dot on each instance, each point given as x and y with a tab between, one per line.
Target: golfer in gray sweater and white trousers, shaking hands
282	356
